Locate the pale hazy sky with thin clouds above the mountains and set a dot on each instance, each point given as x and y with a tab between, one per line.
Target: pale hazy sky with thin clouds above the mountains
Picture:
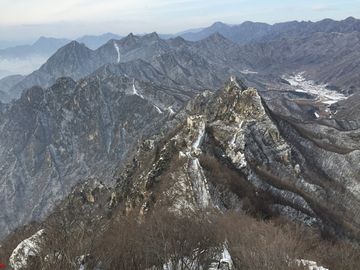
30	19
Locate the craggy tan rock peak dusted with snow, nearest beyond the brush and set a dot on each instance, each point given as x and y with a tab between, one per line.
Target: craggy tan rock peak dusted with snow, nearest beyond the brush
232	118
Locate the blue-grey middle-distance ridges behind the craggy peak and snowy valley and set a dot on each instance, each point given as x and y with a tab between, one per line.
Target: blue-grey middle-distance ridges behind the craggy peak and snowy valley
333	54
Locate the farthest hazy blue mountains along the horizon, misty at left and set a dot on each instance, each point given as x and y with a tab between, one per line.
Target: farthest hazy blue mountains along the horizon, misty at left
25	59
